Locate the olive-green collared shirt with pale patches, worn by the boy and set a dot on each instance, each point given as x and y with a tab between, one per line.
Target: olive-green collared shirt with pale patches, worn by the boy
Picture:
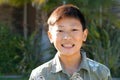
88	70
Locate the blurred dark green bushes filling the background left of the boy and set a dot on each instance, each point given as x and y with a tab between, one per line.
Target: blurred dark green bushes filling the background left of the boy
18	55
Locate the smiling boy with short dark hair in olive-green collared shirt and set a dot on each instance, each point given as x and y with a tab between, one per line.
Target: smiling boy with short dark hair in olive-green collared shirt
67	31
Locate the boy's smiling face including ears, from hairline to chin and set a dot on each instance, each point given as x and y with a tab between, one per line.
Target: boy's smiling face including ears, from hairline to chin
67	36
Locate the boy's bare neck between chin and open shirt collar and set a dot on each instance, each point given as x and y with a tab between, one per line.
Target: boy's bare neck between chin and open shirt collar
70	63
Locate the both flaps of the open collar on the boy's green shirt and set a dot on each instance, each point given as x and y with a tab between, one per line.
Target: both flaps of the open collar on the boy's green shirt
57	66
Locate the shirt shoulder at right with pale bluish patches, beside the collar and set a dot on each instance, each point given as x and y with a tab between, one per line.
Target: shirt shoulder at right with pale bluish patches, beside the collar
98	68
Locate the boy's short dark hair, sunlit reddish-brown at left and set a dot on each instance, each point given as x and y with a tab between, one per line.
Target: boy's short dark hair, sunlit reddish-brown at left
67	10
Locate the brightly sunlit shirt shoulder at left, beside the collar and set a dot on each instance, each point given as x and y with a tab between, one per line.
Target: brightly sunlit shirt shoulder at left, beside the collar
41	70
